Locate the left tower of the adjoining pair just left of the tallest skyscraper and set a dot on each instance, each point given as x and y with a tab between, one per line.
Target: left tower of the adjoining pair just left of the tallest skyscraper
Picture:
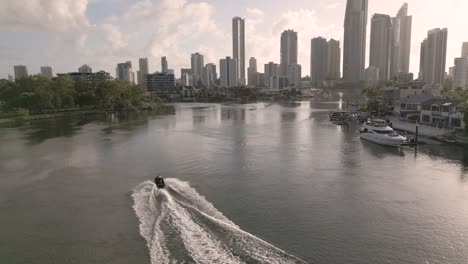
318	60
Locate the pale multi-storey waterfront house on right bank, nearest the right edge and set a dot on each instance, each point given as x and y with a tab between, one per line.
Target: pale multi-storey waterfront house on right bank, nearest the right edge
442	113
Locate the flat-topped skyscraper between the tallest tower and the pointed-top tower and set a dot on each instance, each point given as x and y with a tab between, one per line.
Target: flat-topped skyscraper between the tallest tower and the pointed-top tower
381	45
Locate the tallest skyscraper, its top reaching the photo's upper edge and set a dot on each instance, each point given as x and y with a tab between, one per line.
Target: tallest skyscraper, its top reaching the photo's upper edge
354	52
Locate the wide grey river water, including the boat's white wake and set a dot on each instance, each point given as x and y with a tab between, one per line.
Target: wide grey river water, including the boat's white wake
256	183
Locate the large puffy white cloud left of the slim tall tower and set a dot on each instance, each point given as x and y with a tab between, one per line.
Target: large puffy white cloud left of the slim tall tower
177	27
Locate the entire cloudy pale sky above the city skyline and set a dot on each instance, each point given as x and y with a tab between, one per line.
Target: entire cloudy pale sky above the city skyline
66	34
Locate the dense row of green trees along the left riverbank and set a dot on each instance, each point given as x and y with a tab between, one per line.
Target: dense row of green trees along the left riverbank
38	94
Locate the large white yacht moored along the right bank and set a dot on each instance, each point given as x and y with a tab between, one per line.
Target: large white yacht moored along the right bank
377	131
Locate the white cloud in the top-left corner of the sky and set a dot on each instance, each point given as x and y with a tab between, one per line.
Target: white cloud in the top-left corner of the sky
58	15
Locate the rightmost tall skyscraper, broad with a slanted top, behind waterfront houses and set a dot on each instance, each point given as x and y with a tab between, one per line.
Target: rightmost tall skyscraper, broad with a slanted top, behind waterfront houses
433	56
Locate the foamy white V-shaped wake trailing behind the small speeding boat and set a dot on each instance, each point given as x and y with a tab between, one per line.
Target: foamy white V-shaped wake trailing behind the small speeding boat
180	226
